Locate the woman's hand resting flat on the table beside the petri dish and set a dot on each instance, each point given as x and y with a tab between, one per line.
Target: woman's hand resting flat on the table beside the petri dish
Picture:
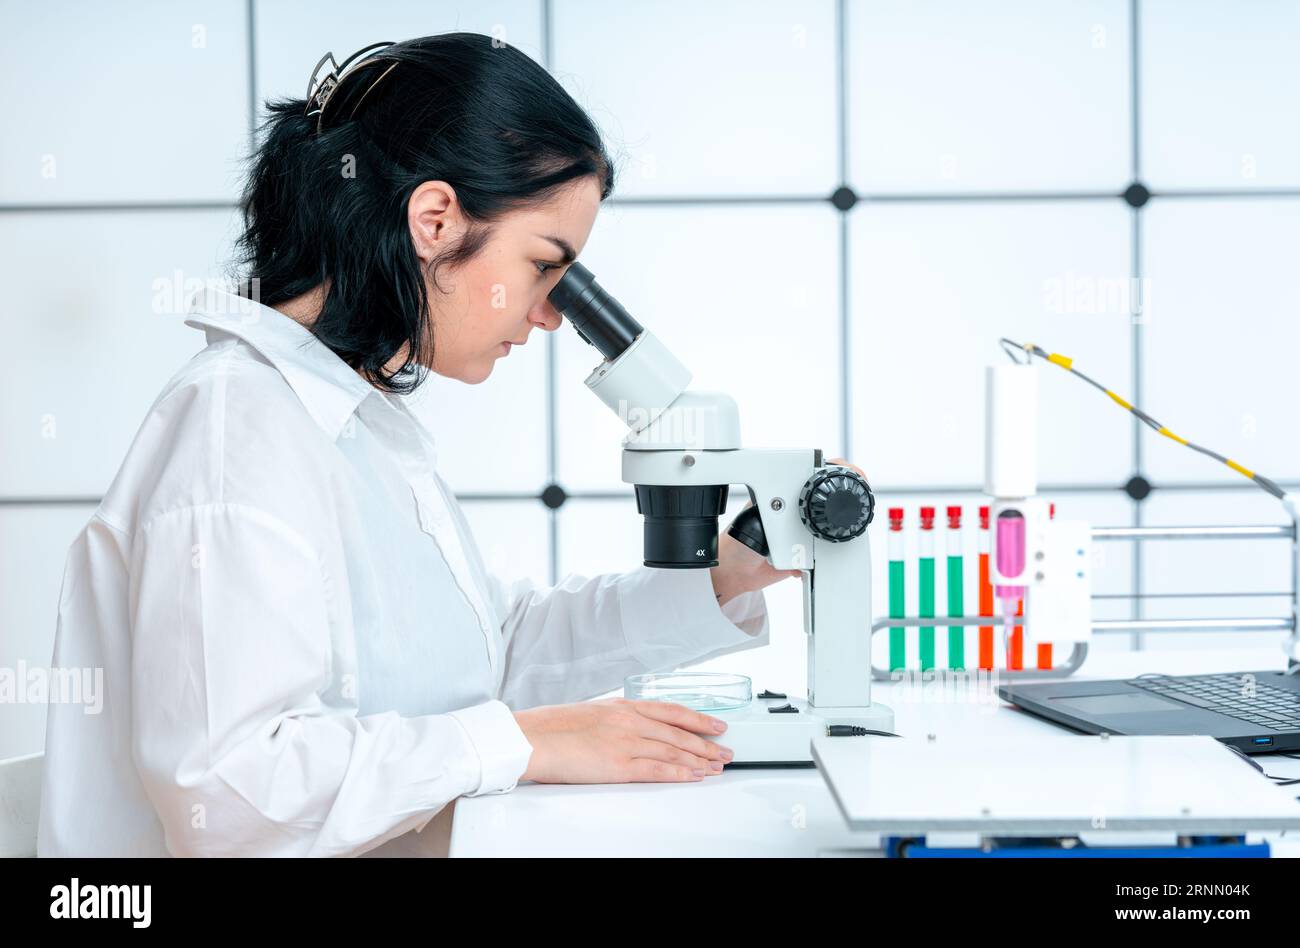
621	742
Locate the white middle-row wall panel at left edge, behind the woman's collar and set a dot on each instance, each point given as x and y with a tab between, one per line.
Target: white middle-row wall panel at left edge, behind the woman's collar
102	298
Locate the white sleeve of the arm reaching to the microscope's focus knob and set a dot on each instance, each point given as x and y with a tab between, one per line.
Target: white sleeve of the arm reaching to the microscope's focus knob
582	638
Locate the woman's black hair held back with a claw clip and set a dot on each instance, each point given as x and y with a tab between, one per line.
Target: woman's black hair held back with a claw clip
331	205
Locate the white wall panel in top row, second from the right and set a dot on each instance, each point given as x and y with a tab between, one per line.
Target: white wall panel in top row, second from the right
973	97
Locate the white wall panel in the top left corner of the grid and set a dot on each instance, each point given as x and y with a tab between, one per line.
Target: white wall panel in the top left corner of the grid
140	102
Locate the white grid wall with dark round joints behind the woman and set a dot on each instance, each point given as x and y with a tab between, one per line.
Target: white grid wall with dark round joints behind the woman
831	210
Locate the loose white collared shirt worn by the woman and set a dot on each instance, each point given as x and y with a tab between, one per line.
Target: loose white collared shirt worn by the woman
302	652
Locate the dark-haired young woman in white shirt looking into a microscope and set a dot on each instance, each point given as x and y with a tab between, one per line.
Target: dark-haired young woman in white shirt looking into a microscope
302	651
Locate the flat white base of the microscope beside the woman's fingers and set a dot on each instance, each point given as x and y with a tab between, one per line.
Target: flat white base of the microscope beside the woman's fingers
772	739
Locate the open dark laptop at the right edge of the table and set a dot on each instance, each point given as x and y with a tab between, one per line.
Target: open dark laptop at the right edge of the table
1256	712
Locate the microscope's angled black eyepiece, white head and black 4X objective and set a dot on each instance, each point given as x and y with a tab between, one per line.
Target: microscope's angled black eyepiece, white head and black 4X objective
645	386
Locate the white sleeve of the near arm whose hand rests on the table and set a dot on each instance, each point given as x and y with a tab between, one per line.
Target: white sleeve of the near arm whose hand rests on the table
245	738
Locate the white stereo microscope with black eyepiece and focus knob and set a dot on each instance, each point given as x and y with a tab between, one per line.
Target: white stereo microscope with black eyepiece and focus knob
682	456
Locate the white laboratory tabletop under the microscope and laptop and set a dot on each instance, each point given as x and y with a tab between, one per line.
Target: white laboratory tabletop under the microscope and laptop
785	812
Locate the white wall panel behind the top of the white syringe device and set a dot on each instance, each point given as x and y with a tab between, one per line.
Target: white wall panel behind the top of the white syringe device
935	287
